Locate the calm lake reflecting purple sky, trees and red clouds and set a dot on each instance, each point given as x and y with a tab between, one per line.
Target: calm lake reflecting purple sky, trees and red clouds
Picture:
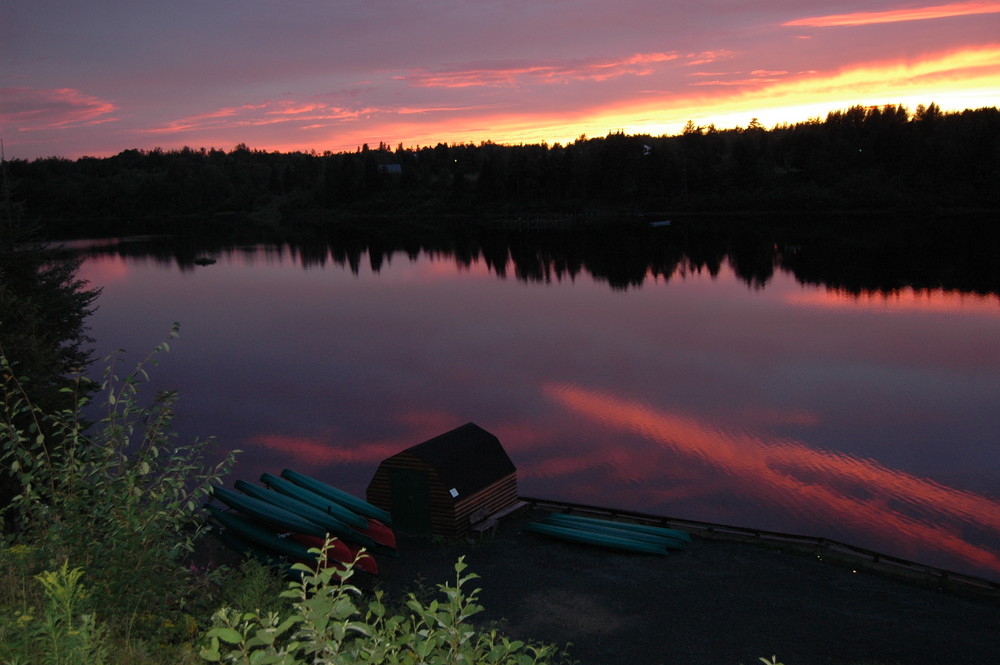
783	385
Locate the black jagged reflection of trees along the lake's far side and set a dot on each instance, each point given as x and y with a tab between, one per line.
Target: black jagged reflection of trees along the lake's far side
854	255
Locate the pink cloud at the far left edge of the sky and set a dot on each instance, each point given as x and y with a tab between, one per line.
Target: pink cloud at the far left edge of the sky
31	109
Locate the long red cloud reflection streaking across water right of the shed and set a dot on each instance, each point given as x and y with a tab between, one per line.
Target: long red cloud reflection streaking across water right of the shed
823	485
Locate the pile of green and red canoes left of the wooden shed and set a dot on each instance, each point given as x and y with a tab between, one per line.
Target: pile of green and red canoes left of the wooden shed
288	515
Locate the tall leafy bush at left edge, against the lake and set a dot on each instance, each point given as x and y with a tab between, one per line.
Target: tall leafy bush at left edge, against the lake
121	501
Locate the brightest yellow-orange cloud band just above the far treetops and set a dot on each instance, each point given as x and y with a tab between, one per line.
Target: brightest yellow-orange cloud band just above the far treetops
955	80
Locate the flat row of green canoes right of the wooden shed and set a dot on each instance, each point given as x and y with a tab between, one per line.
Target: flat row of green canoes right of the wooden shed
624	536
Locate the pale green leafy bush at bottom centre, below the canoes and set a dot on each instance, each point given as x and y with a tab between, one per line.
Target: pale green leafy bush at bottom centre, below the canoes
329	624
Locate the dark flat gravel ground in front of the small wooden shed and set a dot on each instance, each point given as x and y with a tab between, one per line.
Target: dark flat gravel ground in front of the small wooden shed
718	602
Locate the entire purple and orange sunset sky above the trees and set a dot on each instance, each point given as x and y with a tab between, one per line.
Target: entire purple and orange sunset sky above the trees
95	78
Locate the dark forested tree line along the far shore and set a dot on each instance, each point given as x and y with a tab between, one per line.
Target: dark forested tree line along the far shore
878	158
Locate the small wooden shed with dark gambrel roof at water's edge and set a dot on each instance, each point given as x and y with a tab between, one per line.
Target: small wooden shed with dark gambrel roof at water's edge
448	484
